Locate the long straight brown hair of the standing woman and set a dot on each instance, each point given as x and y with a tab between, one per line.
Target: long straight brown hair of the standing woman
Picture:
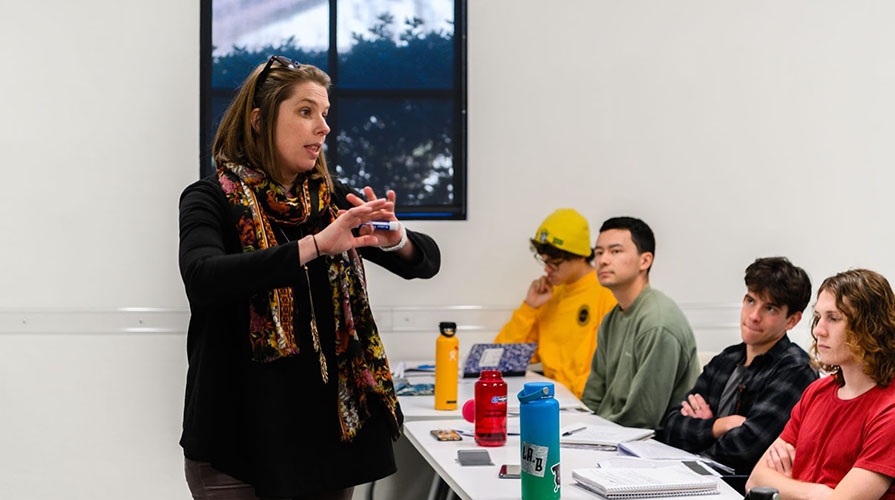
239	142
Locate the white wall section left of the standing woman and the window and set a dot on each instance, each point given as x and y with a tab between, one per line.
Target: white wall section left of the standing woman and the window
99	133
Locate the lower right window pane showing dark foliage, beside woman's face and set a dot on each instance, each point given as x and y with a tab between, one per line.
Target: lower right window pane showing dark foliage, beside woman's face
400	144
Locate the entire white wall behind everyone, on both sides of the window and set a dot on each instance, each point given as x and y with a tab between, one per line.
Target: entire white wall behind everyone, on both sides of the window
736	130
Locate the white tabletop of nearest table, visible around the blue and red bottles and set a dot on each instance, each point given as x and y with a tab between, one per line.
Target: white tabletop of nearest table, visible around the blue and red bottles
482	482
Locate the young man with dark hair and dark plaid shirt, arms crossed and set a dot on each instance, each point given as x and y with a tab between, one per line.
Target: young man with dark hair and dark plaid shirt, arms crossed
743	397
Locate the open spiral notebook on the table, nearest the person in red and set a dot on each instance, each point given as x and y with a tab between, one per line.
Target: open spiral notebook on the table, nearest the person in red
671	481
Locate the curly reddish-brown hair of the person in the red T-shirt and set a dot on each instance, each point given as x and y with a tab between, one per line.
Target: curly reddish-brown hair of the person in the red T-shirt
866	300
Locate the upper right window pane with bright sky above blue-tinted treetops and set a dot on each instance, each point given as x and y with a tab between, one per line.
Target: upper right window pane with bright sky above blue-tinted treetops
396	44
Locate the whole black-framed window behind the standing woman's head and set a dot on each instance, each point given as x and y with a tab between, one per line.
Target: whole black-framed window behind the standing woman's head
398	115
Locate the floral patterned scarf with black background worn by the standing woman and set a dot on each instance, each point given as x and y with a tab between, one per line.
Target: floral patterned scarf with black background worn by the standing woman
362	366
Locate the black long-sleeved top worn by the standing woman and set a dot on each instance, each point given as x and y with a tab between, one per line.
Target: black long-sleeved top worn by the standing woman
273	425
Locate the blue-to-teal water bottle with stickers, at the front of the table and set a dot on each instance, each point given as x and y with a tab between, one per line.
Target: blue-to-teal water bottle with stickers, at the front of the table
539	435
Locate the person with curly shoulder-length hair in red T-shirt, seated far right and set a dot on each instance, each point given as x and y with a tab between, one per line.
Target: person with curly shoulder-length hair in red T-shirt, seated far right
838	441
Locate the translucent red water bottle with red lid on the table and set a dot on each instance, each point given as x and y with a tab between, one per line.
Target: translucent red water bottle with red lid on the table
490	409
